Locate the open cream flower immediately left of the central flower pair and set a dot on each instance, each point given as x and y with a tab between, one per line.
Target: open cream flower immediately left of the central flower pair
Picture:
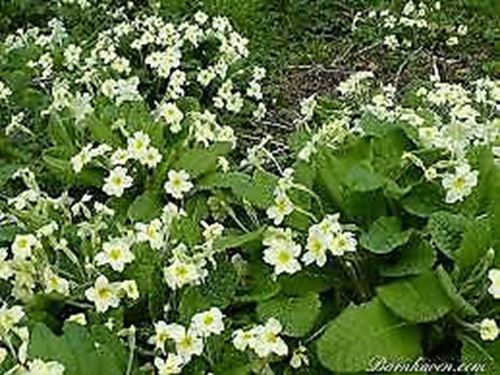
283	256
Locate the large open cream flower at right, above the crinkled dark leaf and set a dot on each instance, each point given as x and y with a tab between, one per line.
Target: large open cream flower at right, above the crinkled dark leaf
460	184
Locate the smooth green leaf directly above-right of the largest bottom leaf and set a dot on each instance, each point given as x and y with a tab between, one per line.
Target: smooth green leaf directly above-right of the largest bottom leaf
416	299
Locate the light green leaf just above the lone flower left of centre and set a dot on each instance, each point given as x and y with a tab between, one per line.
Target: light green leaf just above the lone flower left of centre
199	161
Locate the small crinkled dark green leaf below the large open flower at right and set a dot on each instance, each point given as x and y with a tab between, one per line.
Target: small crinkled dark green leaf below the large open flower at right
446	231
